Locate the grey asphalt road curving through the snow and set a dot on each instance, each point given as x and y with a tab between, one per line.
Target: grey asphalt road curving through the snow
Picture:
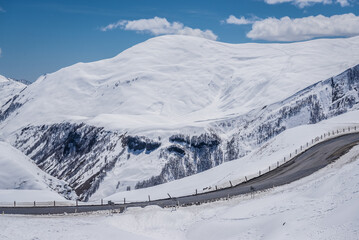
304	164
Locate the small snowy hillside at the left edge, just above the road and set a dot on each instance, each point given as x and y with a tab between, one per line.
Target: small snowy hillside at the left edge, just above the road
22	180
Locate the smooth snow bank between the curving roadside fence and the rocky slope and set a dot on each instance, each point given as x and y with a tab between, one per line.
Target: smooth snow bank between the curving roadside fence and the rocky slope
274	150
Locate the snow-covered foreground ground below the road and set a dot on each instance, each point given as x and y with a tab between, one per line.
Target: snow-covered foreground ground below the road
321	206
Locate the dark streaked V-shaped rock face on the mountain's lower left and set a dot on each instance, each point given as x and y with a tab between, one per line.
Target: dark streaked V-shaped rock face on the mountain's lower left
80	154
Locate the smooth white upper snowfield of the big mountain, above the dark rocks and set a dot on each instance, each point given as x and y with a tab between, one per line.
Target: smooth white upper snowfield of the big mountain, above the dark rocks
174	81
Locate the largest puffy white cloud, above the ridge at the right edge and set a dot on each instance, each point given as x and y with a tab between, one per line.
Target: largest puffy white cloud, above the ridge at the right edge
287	29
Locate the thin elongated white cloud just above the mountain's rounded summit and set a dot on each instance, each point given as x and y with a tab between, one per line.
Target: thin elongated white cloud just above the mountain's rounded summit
159	26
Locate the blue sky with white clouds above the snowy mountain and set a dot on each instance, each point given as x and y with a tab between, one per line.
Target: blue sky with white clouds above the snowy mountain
42	36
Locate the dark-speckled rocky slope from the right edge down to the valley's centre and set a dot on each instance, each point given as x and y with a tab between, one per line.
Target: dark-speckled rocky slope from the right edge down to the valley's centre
189	155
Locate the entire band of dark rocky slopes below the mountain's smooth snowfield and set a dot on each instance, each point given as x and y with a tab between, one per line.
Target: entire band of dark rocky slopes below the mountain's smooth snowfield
84	155
